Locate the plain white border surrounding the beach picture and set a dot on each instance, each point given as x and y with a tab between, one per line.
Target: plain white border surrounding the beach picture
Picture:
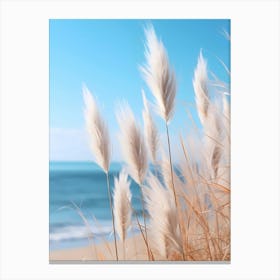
24	137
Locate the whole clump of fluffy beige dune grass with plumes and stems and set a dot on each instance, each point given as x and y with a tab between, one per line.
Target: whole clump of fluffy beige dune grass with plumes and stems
188	204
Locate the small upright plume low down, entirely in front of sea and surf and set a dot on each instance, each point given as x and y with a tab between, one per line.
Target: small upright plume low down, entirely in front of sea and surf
122	204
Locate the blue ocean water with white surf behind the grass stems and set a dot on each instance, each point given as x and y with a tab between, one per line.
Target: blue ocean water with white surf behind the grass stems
79	210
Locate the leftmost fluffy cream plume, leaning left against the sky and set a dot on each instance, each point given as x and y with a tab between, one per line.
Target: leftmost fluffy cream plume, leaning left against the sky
97	130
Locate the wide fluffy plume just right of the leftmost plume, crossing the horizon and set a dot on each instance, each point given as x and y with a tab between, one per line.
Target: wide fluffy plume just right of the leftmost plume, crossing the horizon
133	145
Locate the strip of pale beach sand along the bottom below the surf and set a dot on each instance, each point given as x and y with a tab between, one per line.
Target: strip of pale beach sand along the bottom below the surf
135	249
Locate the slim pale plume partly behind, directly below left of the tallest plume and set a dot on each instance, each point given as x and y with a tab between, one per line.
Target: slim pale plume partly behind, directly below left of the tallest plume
150	130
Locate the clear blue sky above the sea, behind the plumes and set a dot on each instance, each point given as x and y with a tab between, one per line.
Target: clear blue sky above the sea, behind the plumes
106	55
